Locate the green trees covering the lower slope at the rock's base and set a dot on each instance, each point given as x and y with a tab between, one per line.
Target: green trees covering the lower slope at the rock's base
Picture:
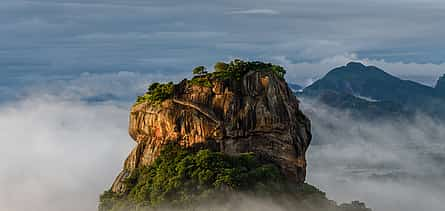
183	178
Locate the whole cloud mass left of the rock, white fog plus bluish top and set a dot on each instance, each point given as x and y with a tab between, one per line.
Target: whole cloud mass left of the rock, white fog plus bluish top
64	140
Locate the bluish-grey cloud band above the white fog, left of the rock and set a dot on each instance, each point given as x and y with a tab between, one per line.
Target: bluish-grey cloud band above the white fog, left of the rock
121	87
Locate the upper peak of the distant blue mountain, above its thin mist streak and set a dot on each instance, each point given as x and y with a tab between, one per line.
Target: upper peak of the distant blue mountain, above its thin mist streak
372	83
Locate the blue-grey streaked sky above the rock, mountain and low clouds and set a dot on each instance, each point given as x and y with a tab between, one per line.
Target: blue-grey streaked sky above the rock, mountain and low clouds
45	40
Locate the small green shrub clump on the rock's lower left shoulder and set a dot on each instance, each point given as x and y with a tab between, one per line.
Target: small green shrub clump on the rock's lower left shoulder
157	93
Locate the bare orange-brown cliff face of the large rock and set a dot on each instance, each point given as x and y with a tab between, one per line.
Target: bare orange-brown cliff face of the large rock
256	114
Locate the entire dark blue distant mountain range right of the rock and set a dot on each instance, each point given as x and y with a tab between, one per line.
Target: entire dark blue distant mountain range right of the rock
371	90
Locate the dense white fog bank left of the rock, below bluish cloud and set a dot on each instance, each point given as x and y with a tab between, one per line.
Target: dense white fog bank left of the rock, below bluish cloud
59	155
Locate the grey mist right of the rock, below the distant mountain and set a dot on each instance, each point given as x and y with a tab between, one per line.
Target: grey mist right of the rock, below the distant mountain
390	164
